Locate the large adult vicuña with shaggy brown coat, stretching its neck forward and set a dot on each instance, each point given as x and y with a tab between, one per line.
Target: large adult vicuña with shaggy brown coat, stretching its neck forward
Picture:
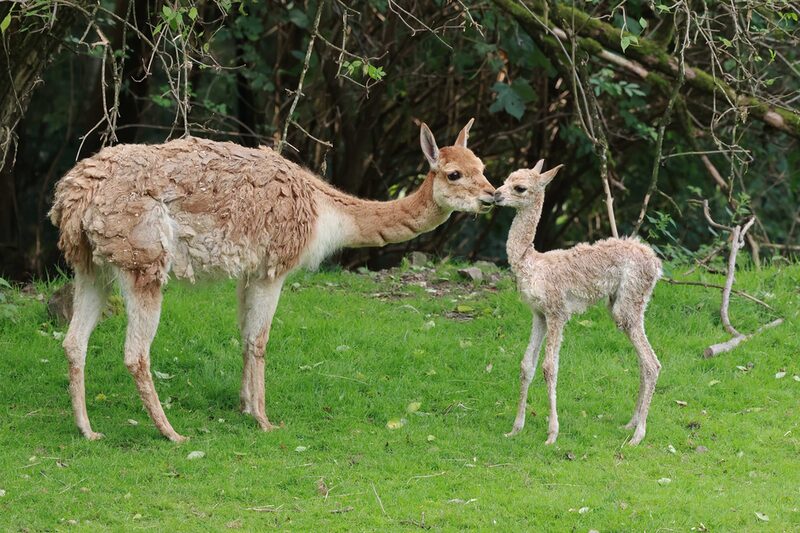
200	208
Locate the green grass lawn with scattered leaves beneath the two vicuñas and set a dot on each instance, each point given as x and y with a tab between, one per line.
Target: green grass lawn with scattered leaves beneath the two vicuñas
395	401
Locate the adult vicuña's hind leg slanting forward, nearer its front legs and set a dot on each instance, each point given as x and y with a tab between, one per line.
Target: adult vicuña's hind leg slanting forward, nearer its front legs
143	306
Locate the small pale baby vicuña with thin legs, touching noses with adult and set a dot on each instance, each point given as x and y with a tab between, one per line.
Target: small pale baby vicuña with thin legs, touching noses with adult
560	283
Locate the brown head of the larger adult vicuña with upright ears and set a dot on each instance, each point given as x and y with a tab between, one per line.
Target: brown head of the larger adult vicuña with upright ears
458	180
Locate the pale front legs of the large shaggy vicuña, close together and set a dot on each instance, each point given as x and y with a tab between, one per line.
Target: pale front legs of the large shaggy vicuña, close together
258	301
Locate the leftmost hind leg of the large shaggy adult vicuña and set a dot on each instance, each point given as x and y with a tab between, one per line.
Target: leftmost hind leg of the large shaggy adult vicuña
90	296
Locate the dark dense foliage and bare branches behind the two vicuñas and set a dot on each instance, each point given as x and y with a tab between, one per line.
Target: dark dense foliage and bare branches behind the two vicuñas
678	101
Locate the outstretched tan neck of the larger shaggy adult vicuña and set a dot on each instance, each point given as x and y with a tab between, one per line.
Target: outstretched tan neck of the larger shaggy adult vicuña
381	223
